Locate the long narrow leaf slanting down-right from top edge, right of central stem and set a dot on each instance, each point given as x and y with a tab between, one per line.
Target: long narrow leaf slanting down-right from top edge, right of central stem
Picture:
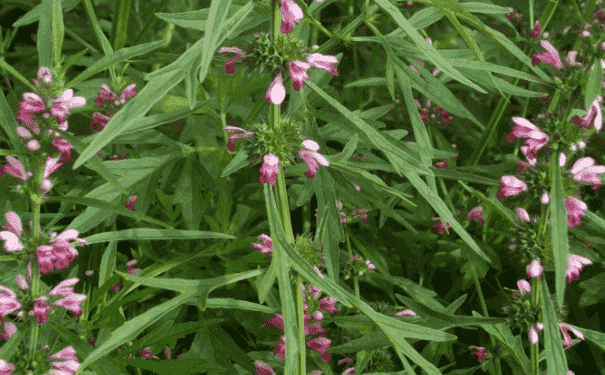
429	51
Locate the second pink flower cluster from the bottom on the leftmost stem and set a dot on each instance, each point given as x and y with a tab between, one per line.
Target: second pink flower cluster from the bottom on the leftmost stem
62	295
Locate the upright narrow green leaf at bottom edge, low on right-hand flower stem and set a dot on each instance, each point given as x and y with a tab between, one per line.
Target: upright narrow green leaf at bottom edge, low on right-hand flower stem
556	360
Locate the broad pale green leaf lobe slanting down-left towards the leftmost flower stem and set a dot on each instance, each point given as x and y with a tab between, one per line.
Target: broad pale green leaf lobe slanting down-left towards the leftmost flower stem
123	119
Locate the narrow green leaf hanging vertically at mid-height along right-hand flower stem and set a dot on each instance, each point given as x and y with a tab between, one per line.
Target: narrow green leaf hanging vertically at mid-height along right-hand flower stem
558	227
